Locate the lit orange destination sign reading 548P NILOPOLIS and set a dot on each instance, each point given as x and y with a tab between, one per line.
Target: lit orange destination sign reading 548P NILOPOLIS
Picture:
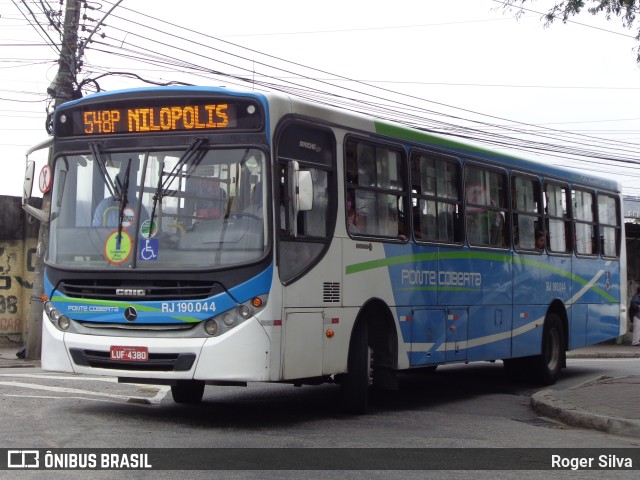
157	116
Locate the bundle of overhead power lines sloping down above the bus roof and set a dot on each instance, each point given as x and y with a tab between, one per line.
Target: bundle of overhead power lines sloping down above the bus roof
381	105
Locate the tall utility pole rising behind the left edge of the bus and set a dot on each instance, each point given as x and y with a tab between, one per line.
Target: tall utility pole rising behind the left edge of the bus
62	90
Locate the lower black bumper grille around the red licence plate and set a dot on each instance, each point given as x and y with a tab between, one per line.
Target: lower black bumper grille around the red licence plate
158	362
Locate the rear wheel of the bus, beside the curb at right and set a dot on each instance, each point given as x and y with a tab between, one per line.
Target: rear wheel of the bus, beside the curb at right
546	366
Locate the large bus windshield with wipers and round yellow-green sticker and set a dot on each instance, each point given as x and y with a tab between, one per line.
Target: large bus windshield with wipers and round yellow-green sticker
158	209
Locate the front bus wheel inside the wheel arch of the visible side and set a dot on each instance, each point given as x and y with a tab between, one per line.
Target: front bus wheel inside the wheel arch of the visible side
354	385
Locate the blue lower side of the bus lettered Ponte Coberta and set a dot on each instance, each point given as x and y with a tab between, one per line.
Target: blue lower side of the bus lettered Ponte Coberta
463	305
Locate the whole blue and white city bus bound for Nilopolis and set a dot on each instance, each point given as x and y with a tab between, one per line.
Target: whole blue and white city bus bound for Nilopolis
203	236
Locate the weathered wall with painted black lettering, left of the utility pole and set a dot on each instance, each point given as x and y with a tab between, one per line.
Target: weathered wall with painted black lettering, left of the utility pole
18	241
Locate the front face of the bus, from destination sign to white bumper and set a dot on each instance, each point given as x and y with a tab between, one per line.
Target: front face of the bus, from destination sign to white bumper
159	265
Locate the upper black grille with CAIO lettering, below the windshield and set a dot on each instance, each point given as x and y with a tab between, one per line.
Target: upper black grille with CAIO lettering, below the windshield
140	290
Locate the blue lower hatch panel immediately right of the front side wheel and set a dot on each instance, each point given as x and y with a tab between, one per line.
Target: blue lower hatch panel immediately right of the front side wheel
427	337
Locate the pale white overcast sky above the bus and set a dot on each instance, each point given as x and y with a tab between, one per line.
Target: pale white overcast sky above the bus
441	65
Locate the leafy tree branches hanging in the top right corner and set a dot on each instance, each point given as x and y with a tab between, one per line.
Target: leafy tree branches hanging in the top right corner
625	10
